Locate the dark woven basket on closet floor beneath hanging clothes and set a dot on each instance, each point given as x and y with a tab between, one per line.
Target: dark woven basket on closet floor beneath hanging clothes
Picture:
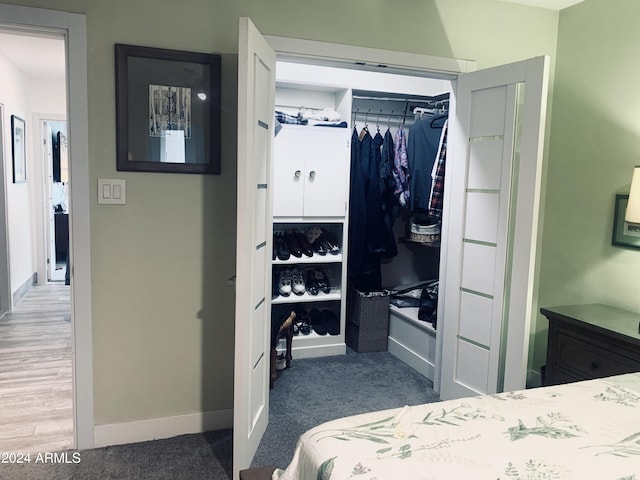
368	325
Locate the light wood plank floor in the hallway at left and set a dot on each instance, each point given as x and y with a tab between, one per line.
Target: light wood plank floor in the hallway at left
36	408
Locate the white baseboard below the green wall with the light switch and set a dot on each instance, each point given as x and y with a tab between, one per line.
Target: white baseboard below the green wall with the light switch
156	428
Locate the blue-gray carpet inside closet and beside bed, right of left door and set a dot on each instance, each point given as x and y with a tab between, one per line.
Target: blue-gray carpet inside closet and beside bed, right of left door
317	390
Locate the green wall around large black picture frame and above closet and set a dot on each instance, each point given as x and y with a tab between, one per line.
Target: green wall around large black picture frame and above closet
163	314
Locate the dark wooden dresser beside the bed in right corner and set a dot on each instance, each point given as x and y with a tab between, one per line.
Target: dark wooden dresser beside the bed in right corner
590	341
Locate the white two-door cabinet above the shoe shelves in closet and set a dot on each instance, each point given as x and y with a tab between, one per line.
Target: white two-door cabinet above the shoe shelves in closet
311	171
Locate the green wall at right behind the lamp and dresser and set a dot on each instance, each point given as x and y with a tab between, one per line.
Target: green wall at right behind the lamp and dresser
595	142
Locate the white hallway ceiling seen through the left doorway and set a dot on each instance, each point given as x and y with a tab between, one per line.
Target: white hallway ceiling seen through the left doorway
37	57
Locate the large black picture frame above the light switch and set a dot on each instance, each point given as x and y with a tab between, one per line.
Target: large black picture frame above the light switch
167	110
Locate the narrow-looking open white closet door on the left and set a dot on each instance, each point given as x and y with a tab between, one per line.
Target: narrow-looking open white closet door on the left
256	92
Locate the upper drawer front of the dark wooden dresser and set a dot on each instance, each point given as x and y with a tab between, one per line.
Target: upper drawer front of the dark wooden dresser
585	359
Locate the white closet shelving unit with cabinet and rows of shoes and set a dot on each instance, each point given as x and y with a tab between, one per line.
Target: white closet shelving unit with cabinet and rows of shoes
310	185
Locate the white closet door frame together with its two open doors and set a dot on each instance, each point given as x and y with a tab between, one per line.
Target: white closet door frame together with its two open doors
478	133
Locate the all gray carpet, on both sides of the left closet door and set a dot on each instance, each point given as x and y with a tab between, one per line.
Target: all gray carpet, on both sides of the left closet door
311	392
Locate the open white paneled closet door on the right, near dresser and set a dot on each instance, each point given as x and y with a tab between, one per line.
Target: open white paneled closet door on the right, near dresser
491	227
